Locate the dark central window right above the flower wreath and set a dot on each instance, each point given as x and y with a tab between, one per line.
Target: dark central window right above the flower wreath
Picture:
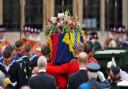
62	5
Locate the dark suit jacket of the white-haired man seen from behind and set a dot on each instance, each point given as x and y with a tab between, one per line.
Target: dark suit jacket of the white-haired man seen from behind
42	81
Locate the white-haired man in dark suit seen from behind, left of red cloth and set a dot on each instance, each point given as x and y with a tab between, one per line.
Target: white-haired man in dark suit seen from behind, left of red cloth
42	80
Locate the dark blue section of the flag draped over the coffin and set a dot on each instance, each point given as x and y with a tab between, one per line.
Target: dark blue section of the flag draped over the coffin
63	54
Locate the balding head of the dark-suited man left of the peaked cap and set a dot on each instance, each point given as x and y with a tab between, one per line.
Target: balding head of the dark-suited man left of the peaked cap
82	57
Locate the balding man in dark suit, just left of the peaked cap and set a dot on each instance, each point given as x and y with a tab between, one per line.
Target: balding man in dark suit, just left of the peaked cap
81	76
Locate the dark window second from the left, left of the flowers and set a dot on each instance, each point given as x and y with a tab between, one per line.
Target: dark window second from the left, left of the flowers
34	12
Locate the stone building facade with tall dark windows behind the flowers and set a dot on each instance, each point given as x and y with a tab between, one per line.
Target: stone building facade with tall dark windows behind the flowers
96	15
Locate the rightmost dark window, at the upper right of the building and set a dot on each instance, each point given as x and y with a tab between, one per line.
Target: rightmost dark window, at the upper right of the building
113	13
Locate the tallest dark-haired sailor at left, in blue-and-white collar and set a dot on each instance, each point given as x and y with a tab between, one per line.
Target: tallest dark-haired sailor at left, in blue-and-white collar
23	60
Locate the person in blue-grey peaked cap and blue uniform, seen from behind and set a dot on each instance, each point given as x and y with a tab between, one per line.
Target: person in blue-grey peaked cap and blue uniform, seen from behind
93	69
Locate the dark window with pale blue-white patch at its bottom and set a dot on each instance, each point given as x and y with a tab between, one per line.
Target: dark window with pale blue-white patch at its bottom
91	14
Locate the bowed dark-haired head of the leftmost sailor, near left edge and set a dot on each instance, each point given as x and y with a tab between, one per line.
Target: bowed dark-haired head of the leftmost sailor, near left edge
7	54
